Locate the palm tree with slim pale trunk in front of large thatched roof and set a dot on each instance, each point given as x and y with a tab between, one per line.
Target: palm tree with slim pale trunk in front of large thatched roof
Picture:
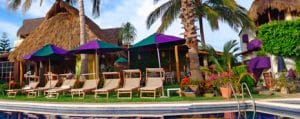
14	5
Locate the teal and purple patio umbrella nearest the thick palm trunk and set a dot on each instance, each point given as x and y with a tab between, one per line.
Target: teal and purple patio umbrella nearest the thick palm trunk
157	41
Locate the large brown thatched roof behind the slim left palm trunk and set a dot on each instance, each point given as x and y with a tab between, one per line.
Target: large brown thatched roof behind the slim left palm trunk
61	28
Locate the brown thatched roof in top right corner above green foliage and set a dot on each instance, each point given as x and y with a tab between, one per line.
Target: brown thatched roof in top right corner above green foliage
259	7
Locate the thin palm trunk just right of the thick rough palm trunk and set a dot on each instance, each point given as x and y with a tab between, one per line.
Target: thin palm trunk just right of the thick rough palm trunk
198	3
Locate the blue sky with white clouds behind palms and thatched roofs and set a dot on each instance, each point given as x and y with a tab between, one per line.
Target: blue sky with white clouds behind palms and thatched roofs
113	14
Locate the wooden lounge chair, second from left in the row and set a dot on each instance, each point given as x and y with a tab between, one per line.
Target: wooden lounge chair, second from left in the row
36	92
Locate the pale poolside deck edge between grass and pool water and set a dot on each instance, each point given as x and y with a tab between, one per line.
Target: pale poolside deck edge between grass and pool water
156	109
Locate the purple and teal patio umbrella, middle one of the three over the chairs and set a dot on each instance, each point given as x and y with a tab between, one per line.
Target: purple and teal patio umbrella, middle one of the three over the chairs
95	47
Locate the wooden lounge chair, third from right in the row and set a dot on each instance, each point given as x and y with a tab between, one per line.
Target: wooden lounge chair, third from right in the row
111	82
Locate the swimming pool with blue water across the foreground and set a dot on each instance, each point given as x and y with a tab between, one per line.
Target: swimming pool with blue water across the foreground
150	110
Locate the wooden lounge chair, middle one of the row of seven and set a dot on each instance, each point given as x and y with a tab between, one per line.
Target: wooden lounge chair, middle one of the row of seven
88	86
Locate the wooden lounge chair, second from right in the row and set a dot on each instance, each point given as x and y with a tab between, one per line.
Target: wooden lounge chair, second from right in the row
132	79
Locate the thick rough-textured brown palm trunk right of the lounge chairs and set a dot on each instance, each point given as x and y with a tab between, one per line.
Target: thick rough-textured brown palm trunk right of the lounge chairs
188	19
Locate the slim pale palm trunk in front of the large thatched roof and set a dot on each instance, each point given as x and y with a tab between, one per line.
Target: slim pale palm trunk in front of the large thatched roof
83	57
